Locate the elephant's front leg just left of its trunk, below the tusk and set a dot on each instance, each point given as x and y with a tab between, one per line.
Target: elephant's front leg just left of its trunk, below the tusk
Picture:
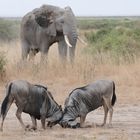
62	48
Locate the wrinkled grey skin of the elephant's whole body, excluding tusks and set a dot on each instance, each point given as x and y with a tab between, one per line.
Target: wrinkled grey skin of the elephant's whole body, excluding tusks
46	25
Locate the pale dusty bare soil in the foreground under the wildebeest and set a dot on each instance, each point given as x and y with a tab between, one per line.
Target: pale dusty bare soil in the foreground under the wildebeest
126	124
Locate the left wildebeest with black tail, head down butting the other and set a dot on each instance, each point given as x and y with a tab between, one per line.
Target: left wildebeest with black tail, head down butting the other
35	100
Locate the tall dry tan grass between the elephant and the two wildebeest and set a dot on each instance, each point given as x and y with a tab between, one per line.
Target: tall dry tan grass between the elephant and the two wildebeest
59	78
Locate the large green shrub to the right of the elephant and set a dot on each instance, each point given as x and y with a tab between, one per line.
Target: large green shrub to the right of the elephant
121	42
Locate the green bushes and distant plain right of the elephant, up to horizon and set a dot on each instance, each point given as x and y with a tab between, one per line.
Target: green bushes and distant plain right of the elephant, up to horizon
115	38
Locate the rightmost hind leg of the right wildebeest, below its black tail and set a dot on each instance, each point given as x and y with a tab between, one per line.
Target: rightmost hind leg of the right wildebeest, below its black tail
110	109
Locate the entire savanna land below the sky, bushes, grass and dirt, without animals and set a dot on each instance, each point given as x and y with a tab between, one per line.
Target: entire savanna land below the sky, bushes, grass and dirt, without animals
112	53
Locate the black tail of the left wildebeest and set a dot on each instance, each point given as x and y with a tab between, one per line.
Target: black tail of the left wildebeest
5	101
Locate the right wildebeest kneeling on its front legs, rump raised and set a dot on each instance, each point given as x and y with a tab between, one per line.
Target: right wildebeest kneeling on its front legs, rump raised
83	100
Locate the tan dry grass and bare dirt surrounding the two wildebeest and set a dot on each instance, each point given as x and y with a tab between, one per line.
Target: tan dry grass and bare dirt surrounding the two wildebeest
60	81
